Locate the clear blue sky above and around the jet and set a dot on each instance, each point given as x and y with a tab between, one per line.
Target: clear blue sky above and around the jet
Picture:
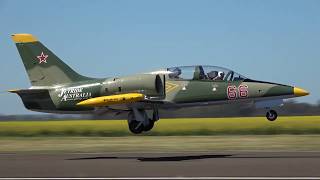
277	41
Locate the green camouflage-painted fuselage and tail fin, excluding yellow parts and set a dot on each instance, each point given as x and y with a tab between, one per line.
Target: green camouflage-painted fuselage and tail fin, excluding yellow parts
65	88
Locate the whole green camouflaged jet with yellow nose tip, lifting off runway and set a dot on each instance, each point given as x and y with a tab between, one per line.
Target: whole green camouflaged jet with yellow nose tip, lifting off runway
56	88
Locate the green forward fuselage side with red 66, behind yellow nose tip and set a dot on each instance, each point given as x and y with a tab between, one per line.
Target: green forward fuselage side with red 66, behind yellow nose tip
194	91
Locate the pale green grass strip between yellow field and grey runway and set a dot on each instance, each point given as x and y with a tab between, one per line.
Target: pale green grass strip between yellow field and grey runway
154	144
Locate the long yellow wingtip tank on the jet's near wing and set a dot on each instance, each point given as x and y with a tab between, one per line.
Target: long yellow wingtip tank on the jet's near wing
112	99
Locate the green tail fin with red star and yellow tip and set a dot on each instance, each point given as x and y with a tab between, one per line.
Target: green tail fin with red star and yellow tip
44	68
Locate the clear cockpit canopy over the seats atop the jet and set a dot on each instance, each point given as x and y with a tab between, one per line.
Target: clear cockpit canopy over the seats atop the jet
199	72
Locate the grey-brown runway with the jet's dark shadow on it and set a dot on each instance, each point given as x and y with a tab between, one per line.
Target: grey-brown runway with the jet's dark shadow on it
214	164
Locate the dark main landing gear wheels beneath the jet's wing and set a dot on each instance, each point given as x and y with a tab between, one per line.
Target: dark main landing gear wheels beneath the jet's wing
138	120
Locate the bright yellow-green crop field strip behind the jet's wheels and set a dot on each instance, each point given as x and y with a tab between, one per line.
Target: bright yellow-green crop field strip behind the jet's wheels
165	127
